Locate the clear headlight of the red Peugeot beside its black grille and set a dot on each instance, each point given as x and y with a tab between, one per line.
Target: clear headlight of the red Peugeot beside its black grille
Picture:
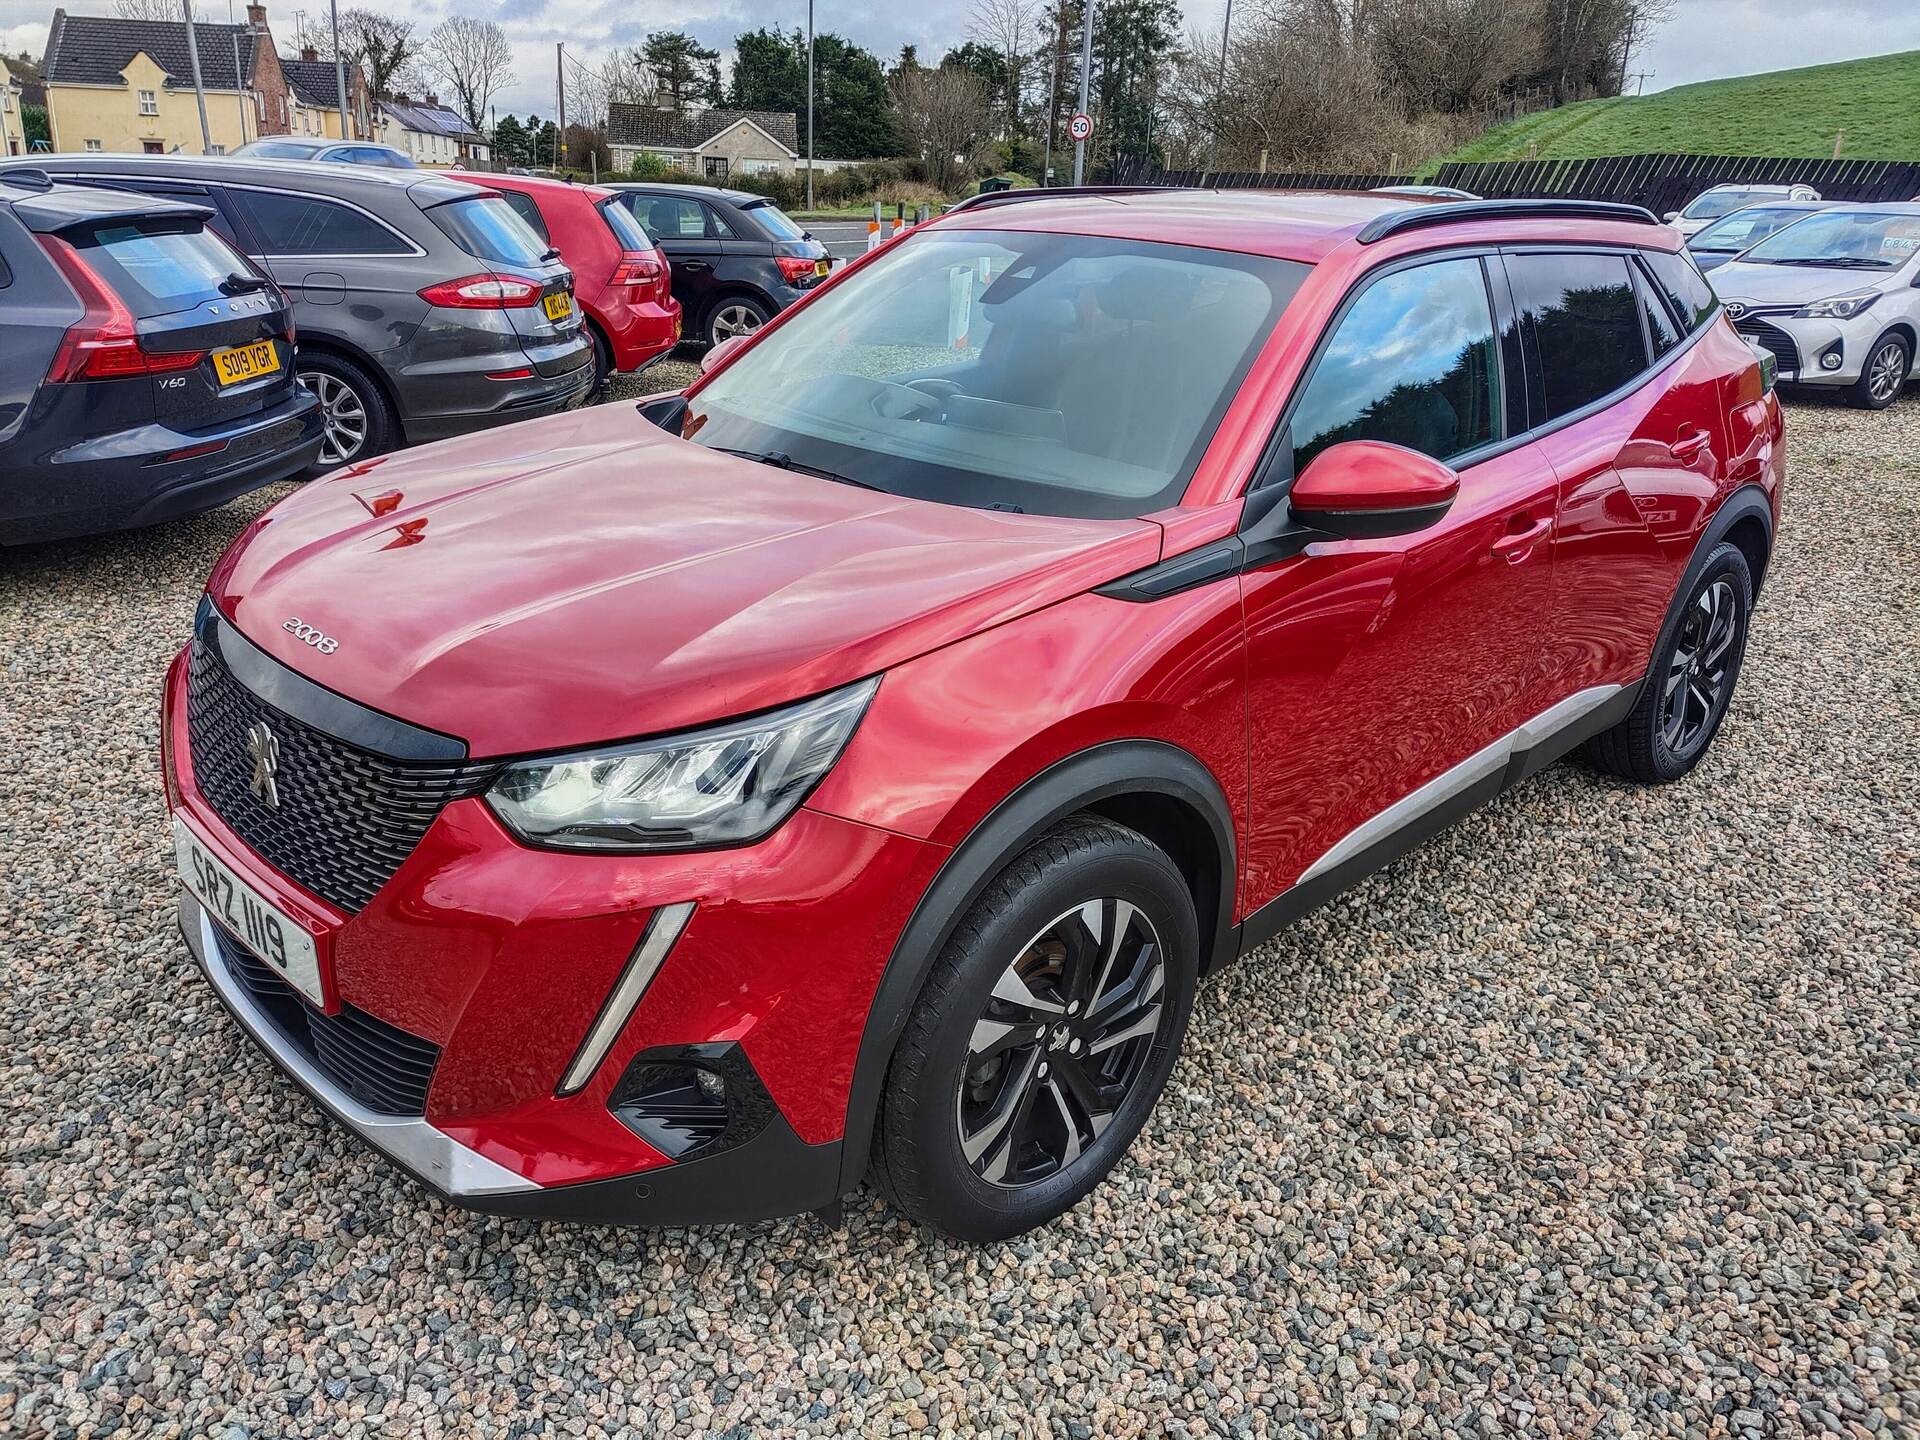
725	786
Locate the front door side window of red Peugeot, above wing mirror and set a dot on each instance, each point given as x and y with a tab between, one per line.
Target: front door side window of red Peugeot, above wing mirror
1412	362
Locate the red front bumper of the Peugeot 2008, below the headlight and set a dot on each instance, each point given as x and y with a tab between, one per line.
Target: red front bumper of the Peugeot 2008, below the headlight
502	961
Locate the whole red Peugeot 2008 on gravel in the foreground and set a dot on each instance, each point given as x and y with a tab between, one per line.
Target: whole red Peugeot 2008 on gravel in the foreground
852	767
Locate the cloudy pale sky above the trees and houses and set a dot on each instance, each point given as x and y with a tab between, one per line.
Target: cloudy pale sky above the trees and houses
1706	39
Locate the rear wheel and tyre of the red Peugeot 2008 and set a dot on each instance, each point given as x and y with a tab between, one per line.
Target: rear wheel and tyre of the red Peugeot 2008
1691	683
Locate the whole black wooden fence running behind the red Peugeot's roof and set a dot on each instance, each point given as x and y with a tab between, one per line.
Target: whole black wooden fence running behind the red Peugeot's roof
1662	183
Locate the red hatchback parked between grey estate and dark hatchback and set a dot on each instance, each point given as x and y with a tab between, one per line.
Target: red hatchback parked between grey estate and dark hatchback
621	277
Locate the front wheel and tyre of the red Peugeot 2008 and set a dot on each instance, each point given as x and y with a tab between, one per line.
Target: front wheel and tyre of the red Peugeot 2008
1044	1036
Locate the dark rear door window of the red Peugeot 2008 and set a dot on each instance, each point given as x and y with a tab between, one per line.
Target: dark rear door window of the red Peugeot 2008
1587	325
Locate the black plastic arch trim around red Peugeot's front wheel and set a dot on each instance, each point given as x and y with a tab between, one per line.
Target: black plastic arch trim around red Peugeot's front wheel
1080	782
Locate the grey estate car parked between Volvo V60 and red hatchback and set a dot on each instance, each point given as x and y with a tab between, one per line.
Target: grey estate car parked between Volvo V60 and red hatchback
425	308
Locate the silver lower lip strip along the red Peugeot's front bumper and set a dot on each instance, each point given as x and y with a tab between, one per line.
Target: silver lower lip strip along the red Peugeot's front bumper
435	1157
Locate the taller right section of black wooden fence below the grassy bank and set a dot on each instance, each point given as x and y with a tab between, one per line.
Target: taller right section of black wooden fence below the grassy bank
1666	183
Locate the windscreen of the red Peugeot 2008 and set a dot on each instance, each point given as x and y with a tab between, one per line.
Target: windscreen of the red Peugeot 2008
1049	373
